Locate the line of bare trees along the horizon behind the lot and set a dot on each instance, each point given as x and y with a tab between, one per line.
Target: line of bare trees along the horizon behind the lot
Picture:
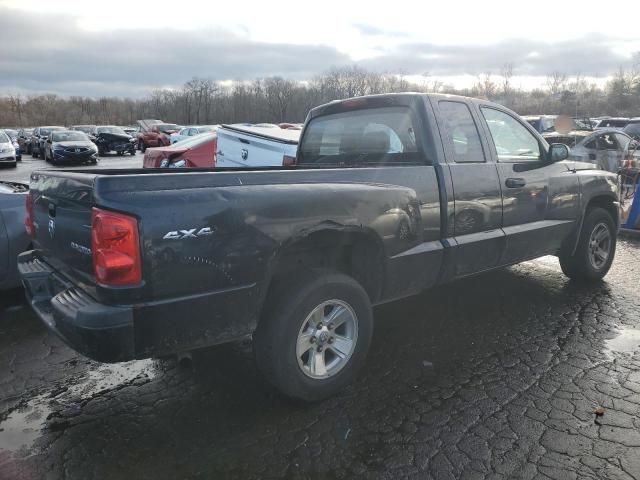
276	99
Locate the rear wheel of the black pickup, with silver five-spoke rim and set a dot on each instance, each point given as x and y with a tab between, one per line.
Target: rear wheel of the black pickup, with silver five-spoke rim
287	317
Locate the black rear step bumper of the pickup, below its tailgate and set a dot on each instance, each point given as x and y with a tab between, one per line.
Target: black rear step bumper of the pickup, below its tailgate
102	332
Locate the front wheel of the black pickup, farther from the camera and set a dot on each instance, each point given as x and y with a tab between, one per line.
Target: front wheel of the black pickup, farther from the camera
585	265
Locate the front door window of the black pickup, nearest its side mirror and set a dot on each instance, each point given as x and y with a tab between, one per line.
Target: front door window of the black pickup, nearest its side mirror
514	143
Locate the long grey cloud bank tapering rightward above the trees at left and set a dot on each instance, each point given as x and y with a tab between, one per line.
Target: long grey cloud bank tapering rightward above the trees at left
51	53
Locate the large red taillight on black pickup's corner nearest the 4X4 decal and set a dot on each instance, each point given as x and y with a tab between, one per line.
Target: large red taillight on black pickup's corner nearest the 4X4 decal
116	248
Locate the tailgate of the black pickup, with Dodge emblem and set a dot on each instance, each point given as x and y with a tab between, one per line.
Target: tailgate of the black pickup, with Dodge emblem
62	221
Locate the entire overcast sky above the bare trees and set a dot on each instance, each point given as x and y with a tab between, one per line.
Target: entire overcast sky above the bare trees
127	48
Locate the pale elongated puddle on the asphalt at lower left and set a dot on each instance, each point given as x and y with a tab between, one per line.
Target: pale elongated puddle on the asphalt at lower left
25	424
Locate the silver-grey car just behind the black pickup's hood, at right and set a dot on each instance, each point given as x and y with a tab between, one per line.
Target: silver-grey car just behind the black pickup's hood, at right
607	148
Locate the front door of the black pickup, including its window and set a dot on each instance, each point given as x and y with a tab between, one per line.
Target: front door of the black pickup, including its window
540	198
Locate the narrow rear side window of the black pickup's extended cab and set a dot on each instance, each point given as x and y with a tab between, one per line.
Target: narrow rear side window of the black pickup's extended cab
463	134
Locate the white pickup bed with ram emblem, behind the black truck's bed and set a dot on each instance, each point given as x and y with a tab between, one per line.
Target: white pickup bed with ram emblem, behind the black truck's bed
256	146
